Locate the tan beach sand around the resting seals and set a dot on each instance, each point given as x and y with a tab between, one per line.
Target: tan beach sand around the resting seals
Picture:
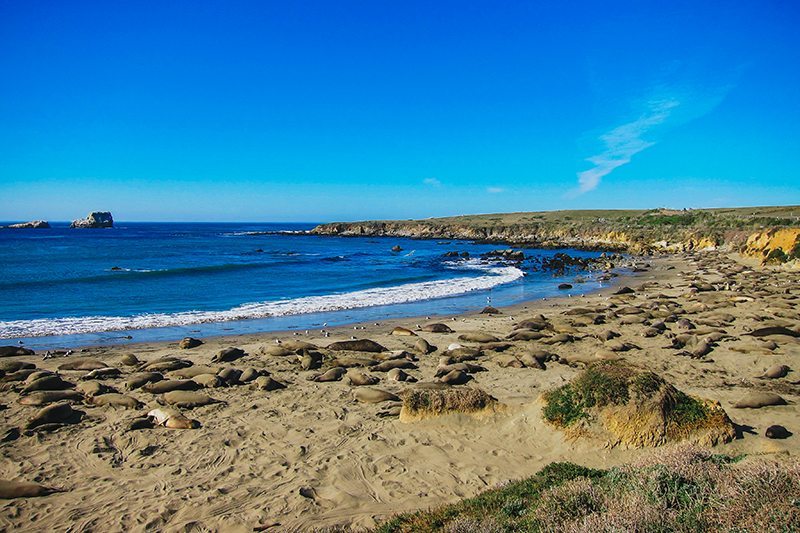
309	456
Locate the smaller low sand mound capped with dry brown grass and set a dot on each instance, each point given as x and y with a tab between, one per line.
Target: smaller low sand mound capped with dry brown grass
426	403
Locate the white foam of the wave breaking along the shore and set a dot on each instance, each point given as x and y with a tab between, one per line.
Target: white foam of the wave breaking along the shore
412	292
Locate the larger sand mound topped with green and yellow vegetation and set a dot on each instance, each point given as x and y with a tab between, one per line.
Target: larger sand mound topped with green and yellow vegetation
614	401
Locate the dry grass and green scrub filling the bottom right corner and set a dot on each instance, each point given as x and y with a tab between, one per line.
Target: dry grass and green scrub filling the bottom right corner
683	489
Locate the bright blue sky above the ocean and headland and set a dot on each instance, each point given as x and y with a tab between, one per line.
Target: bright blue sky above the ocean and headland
316	111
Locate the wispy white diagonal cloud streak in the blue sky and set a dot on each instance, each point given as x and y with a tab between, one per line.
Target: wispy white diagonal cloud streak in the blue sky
625	141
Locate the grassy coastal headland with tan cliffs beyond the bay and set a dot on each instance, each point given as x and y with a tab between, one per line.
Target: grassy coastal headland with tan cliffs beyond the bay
635	231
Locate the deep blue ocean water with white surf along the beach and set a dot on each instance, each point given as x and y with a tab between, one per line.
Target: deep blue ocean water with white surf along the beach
158	281
